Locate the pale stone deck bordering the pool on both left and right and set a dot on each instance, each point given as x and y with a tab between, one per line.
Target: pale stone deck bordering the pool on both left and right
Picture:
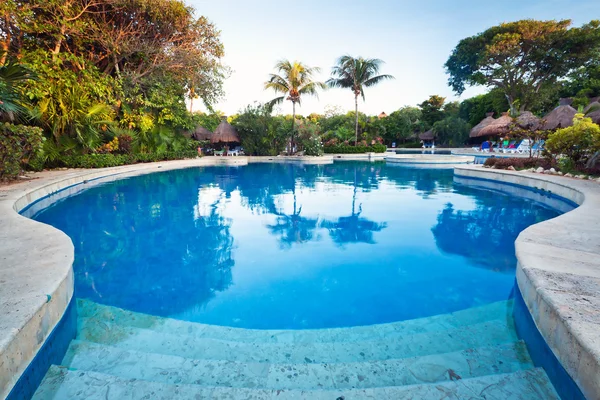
558	273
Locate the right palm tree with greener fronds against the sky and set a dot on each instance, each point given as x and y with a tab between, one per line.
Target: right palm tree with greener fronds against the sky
356	74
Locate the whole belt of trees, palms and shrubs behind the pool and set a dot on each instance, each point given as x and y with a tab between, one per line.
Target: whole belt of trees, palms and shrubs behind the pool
106	83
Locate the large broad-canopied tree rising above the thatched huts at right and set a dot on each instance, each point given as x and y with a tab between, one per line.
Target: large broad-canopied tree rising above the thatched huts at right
521	57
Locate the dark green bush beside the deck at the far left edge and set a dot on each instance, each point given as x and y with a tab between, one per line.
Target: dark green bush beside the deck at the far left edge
18	144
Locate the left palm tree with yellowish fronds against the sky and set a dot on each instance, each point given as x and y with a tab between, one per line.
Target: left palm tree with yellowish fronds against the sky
294	80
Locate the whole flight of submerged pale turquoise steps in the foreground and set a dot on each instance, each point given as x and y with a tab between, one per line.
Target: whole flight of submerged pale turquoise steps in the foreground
473	354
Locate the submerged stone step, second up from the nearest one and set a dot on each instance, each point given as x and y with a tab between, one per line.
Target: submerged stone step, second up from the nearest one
131	364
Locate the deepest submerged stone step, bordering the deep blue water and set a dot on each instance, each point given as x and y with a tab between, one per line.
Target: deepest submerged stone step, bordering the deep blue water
92	313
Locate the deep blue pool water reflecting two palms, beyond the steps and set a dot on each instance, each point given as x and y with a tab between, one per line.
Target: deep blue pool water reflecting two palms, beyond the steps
294	247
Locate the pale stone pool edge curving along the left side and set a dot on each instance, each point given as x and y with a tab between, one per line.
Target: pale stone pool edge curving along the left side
36	275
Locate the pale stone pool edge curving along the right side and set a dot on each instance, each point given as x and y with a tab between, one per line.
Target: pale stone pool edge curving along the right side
558	272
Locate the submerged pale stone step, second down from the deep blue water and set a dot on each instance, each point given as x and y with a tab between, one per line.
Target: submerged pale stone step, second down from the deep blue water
484	334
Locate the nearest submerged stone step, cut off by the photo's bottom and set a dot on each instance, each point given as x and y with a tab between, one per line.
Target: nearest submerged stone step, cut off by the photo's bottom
63	383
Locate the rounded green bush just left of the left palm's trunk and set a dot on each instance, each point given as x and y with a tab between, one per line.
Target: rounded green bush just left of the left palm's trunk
261	133
